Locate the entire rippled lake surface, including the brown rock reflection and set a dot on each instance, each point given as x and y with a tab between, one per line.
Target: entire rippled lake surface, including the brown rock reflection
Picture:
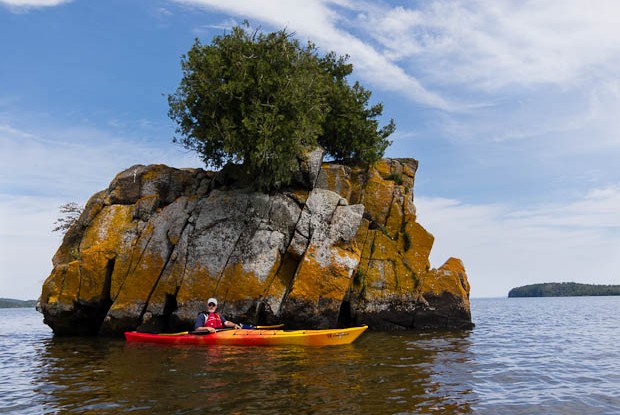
525	356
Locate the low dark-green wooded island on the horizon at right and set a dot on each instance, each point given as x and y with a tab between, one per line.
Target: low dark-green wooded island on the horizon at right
563	289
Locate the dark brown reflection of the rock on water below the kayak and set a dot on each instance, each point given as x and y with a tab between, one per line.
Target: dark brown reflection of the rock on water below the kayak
382	373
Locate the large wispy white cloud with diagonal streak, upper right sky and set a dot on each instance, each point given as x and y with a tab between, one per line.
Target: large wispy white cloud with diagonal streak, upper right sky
504	69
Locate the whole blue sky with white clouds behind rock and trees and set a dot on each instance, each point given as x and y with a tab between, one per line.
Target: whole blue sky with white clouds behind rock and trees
511	107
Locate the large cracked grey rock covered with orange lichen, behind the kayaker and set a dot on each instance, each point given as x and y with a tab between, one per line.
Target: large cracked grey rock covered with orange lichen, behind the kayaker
339	247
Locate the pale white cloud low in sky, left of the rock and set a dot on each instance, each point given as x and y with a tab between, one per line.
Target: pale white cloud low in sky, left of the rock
44	168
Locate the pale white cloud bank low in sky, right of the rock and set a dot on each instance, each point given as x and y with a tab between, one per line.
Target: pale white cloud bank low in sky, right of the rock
503	247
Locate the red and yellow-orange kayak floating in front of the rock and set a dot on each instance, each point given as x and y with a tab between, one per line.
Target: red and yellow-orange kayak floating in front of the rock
245	337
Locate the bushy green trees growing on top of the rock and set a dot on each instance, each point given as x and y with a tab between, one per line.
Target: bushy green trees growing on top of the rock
263	100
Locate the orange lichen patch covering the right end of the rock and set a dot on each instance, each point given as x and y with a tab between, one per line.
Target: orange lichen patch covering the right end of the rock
395	257
